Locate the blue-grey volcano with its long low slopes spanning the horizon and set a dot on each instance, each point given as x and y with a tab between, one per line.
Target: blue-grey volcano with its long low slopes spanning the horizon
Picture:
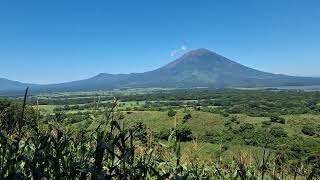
197	68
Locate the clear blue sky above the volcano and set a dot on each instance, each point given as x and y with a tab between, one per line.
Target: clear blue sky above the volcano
49	41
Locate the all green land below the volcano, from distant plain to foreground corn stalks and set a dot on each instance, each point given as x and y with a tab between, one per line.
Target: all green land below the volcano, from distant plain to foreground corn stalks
198	134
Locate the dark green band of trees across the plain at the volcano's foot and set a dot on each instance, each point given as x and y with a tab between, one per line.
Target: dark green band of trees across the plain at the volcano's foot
250	102
